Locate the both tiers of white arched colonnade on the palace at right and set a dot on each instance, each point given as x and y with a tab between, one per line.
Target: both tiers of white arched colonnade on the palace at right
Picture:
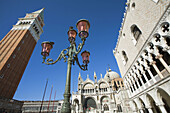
151	66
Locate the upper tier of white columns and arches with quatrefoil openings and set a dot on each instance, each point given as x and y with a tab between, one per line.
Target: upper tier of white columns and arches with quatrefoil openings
153	59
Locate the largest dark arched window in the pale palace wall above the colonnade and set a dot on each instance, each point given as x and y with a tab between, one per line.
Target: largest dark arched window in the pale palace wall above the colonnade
136	32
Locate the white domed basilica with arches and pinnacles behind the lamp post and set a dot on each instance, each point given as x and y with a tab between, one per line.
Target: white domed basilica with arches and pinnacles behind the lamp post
100	96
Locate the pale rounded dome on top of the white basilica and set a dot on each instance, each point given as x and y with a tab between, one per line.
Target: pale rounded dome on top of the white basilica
110	75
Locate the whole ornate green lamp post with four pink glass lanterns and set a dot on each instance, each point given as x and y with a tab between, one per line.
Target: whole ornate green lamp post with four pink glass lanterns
70	55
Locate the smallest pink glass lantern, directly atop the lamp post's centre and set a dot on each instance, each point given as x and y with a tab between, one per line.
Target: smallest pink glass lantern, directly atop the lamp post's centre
71	34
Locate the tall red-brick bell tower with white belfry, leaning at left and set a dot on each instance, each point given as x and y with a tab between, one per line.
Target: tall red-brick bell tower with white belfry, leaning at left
16	49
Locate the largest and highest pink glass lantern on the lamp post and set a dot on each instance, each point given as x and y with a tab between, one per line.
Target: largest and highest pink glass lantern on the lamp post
83	28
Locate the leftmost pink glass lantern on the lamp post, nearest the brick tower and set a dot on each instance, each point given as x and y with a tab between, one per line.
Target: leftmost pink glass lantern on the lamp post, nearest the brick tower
46	47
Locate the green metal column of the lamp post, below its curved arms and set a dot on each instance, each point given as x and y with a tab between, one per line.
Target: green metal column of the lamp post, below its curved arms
66	104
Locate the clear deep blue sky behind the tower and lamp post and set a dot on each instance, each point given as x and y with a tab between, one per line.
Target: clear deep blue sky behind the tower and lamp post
105	17
